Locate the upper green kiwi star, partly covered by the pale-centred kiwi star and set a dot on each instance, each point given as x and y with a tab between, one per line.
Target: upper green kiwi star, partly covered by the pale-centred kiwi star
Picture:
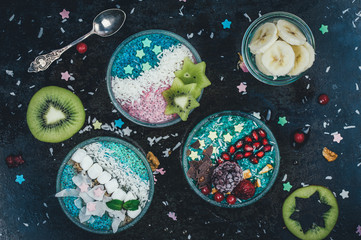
194	73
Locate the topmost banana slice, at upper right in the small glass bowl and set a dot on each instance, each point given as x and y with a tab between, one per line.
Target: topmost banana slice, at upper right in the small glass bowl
290	33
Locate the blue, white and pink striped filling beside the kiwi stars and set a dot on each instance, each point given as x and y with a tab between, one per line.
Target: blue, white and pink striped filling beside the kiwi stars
142	69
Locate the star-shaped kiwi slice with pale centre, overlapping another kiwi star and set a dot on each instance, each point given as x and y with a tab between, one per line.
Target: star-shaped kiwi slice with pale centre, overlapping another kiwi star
180	99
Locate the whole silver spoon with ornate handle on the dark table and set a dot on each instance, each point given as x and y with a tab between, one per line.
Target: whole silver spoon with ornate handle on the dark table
105	24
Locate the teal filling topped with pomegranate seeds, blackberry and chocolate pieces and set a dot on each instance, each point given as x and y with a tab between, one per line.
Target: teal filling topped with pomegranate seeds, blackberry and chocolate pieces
230	159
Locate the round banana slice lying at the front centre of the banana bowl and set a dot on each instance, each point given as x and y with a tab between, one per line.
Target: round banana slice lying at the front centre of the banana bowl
279	59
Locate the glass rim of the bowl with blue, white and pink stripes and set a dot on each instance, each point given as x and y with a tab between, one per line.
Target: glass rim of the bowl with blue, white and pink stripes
109	75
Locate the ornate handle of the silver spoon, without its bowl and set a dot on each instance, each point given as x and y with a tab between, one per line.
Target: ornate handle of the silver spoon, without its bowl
42	62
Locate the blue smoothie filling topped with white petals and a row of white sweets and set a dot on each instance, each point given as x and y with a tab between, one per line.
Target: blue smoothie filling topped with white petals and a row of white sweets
97	174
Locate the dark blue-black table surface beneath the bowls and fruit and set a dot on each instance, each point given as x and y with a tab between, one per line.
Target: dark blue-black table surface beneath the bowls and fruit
30	210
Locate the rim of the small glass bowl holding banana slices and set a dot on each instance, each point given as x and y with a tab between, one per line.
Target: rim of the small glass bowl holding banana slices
285	80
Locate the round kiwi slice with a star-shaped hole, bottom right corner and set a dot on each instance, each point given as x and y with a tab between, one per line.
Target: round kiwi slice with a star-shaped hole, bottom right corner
310	212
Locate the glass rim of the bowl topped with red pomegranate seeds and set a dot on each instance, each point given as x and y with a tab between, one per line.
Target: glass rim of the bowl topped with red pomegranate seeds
261	124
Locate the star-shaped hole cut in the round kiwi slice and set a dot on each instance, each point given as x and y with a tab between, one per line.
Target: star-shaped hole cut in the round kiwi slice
309	212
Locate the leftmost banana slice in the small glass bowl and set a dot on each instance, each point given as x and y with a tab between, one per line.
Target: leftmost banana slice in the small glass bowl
263	38
